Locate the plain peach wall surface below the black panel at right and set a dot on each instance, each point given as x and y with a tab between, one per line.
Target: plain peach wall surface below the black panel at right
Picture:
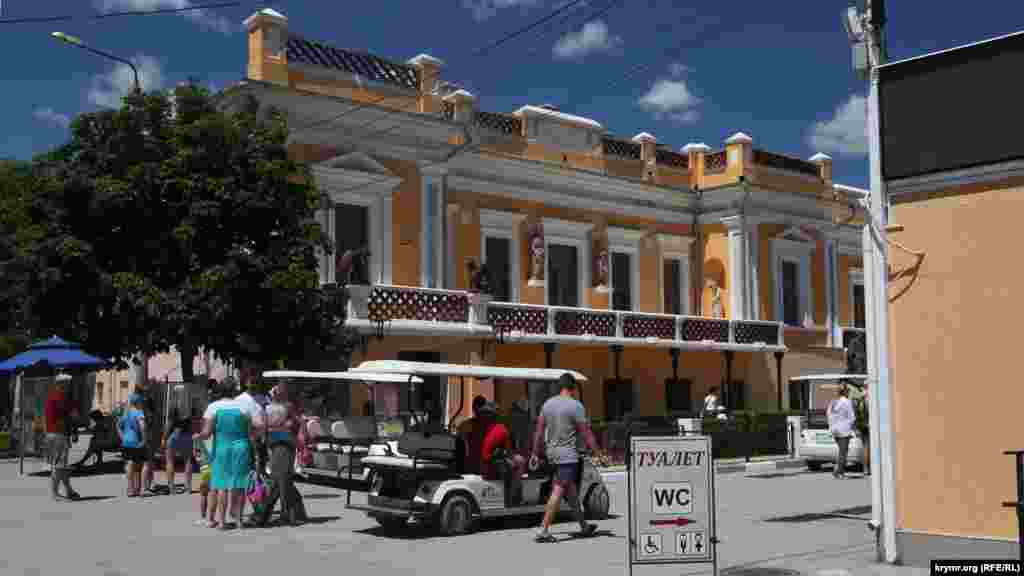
955	324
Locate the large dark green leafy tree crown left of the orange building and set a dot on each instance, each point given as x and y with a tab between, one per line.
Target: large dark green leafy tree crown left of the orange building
174	222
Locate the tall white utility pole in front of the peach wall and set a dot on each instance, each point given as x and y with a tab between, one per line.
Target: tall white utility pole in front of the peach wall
866	31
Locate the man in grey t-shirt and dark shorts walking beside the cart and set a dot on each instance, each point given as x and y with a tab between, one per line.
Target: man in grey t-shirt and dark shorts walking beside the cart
564	423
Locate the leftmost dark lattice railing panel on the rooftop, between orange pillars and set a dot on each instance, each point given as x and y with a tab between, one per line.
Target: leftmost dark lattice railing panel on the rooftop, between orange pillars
369	66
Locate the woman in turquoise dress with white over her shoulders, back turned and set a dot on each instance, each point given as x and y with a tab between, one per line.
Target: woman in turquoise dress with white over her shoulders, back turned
229	424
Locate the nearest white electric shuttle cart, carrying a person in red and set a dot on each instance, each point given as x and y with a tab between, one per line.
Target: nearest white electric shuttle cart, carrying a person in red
423	482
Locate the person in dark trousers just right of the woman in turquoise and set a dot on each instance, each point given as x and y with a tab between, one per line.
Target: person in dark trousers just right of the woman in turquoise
282	430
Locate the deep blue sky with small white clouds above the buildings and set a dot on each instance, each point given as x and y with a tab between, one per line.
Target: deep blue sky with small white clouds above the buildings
682	71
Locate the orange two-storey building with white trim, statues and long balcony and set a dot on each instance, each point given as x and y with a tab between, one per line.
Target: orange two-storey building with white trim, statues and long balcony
659	274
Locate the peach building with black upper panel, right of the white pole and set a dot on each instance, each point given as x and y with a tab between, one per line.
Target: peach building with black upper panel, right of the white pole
956	195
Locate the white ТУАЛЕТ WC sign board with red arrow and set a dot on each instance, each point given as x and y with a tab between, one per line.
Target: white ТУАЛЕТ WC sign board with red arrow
672	501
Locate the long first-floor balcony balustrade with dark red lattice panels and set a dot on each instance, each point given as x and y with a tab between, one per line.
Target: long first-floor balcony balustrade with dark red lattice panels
383	305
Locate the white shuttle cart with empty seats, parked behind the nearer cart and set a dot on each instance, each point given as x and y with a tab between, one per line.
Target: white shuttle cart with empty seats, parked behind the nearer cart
346	442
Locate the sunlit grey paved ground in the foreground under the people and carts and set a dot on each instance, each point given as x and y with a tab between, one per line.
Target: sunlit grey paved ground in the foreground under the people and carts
769	523
